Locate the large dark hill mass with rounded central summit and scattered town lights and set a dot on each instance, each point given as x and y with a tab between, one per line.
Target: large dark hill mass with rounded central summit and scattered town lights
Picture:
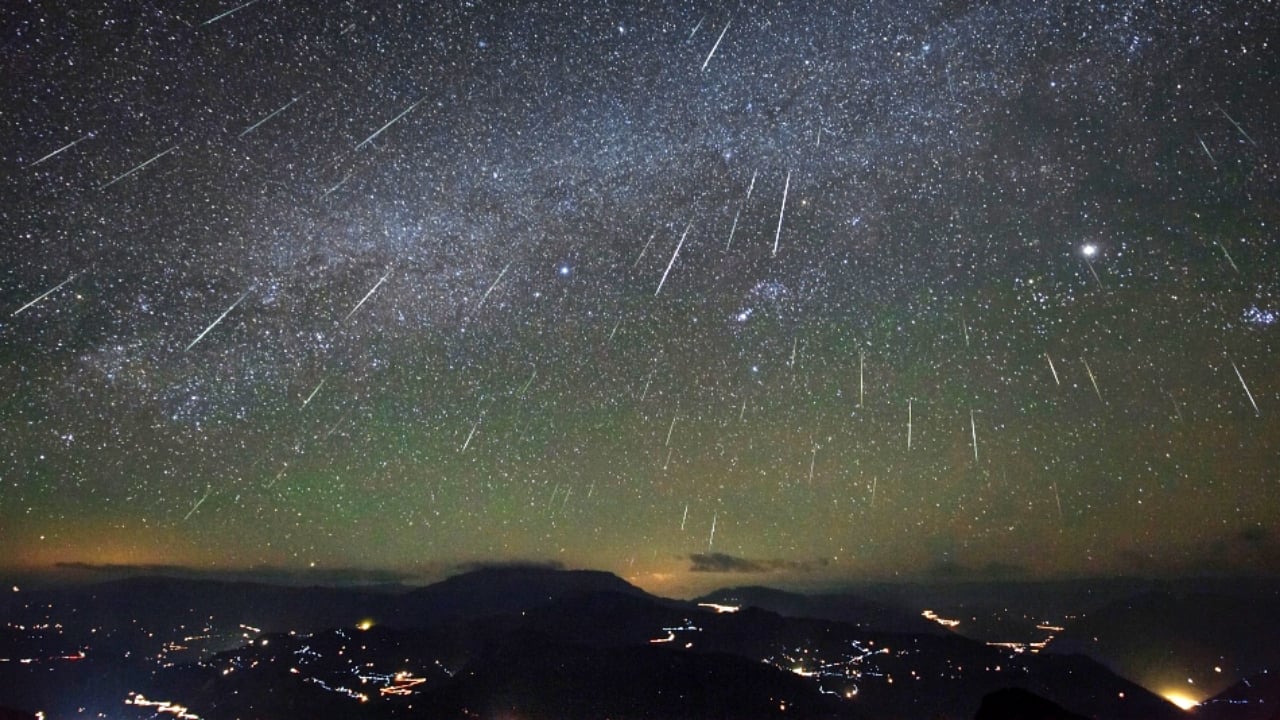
511	642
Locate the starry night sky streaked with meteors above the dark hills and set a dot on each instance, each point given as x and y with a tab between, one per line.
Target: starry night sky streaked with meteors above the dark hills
687	291
